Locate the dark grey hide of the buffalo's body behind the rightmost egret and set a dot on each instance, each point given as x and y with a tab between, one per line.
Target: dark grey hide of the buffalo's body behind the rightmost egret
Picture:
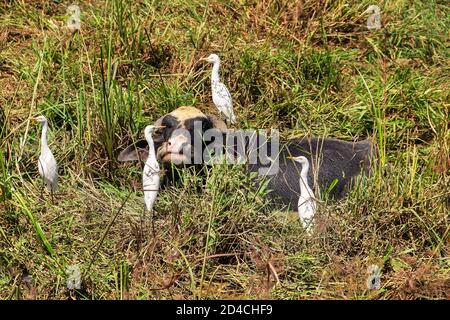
334	165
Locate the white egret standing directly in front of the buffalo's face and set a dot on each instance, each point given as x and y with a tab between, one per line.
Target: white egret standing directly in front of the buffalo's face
150	175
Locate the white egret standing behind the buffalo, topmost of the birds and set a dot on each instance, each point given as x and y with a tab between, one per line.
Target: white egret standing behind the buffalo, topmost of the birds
220	94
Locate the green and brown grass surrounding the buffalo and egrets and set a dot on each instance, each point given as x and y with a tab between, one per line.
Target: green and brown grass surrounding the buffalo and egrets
307	67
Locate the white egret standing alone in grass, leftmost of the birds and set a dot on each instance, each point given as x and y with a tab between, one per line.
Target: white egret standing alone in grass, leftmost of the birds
47	166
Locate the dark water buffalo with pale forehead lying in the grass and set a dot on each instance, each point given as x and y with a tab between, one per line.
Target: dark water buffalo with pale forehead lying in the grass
334	163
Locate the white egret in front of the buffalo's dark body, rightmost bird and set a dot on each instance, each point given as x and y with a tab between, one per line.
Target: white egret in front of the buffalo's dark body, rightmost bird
306	202
